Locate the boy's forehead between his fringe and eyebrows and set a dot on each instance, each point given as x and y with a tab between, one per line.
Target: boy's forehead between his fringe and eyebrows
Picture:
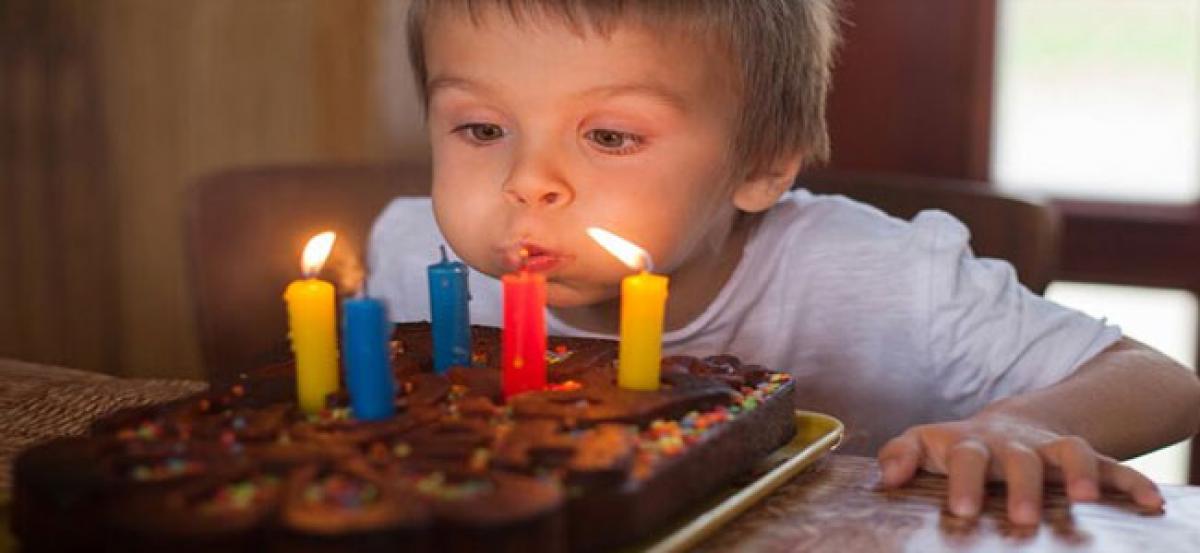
487	51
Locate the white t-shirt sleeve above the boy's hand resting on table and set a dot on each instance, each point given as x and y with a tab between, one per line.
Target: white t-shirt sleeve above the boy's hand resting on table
989	336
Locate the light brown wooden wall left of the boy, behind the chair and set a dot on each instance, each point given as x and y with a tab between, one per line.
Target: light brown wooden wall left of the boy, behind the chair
110	110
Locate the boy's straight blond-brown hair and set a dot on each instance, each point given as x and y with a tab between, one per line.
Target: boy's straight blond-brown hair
783	49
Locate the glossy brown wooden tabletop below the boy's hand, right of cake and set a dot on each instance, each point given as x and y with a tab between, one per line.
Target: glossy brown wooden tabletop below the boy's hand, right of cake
838	507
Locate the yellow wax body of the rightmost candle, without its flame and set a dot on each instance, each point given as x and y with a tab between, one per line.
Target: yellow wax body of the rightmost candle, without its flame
644	300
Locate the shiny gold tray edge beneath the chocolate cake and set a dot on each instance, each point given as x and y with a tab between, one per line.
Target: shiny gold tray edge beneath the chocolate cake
817	435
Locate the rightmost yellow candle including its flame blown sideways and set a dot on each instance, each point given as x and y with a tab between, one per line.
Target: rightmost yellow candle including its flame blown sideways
644	299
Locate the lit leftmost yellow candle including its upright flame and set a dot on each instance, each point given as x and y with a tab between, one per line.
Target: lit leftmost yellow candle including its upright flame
313	328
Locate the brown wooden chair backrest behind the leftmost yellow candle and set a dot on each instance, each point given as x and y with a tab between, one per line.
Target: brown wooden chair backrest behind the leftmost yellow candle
245	232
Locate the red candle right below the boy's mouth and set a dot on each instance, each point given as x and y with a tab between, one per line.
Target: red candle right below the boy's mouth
524	340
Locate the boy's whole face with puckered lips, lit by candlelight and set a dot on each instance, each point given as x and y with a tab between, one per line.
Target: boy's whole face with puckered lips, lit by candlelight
541	133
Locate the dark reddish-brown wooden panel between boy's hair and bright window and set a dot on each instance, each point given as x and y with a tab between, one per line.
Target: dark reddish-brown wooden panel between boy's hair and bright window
913	91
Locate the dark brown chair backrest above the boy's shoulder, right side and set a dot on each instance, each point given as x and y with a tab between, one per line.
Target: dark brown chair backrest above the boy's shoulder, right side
1019	231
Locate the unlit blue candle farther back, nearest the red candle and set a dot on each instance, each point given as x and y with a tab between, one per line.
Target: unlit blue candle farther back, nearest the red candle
452	318
